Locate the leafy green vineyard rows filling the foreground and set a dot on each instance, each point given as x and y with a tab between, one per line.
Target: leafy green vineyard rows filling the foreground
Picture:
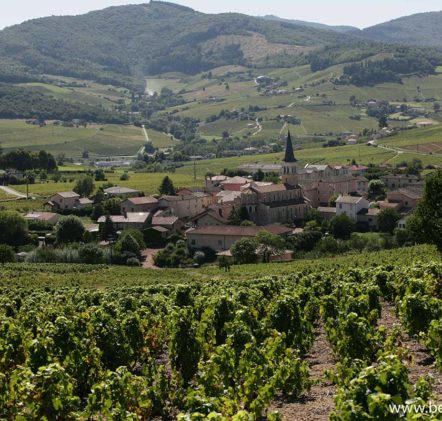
223	349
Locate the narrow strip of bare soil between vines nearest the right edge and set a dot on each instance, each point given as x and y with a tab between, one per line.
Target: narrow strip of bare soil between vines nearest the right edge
422	363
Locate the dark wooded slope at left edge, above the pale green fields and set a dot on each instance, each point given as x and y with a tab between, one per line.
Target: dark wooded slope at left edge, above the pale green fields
18	102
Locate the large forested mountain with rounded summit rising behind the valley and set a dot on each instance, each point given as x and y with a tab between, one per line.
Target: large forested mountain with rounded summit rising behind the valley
146	38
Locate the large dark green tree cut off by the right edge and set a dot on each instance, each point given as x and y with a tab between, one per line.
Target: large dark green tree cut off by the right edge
426	223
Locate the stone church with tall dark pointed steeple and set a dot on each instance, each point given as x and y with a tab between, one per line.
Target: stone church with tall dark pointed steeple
277	203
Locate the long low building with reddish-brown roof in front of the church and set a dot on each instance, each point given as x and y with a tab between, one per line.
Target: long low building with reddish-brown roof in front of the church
221	238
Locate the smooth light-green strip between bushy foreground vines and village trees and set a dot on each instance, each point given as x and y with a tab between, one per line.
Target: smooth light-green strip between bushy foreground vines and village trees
39	275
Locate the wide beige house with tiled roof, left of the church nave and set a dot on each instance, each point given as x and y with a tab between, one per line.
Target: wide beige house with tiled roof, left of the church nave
186	206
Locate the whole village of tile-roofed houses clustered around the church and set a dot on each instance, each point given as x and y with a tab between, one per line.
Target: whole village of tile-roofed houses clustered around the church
203	214
